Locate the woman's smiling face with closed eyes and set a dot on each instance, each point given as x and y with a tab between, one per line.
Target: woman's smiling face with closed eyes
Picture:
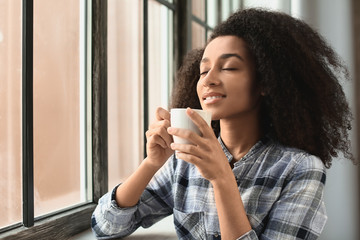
227	86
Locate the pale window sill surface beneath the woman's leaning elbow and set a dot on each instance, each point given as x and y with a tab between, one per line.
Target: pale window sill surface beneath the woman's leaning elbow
163	230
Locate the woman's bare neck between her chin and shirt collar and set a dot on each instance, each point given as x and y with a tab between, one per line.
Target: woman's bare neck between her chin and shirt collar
240	134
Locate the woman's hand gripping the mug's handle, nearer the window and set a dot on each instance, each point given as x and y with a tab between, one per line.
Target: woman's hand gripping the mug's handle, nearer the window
158	139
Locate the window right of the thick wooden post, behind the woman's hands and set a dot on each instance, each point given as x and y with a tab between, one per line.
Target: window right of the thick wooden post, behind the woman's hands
140	77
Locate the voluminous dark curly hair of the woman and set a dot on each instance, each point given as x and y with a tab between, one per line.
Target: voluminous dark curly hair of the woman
304	104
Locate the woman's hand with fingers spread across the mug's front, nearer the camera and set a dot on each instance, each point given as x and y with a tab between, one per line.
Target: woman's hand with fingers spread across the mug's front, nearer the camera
205	152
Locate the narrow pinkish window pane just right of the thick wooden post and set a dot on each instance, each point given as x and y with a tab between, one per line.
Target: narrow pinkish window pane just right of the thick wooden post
125	134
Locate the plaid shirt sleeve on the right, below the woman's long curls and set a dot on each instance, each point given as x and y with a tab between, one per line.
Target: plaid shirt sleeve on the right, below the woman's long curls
300	212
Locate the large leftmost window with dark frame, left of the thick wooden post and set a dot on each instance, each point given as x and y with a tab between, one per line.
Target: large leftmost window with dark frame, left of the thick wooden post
45	143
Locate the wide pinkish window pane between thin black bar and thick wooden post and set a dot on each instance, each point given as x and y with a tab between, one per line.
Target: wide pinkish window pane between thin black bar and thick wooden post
58	113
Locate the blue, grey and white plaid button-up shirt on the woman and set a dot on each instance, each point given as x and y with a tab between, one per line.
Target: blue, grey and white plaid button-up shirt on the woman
281	188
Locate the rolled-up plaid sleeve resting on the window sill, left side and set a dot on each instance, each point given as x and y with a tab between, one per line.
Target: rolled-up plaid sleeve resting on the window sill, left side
110	221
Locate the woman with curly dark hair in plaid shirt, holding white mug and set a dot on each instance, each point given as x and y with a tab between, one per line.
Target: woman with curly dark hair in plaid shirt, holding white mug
280	115
